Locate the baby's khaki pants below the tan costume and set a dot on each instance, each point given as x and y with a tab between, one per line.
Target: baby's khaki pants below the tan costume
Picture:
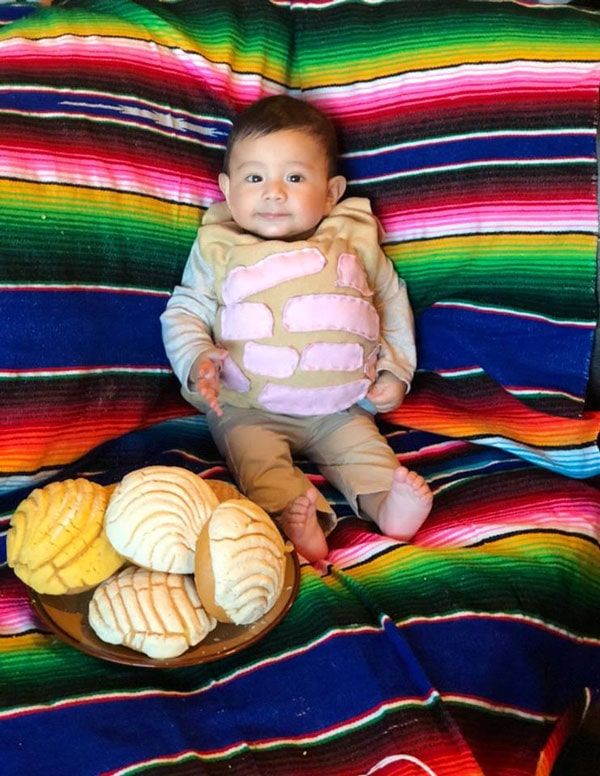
346	446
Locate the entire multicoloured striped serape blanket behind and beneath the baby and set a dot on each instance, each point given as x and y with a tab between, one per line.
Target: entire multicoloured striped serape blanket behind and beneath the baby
472	126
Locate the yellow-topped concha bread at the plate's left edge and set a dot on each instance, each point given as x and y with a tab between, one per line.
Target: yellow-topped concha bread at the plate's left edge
56	541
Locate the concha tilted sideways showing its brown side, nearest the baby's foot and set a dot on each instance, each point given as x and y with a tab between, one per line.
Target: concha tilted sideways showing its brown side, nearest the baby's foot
240	563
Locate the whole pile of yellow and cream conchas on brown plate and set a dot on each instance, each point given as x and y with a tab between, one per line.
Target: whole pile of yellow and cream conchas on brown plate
167	553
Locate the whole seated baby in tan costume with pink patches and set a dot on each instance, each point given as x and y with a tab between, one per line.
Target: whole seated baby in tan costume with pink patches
291	327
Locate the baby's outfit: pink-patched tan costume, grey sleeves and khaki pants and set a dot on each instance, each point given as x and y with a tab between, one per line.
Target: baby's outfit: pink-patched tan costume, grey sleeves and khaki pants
307	325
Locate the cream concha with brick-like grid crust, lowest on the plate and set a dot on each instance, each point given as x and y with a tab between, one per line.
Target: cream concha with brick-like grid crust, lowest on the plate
152	612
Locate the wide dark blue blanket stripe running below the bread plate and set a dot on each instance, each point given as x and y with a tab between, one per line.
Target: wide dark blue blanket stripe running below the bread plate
281	699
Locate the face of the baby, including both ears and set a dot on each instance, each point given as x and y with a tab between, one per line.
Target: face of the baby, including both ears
278	186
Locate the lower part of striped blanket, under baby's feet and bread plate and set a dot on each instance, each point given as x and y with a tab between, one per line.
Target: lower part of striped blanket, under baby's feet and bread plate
474	651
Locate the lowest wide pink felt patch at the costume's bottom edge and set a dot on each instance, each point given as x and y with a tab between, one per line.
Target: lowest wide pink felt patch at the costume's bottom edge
287	400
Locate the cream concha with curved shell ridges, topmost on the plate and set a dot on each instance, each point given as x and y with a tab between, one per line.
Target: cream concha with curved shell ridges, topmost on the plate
155	516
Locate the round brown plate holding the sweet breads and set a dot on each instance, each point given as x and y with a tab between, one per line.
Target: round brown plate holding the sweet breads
66	616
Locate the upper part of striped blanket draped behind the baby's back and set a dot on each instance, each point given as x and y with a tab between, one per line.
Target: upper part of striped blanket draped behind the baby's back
477	148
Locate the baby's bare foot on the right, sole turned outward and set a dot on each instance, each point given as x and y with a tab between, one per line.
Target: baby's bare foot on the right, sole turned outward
406	506
